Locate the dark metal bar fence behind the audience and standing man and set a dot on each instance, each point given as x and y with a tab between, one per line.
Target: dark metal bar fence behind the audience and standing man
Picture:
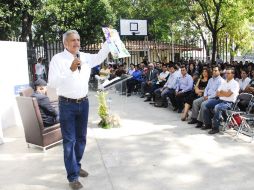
152	51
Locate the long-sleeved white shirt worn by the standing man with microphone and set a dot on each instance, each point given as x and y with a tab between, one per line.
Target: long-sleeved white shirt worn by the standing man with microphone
73	84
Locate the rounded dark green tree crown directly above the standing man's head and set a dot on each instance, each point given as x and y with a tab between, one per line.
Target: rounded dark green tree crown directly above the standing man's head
87	17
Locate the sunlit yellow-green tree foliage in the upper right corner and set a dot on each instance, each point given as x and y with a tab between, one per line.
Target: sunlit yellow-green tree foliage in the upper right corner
217	18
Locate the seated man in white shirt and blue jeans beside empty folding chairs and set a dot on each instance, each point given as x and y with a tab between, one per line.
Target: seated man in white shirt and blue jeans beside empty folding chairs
226	96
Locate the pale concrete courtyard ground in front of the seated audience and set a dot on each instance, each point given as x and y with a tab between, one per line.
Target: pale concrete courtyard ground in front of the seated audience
153	150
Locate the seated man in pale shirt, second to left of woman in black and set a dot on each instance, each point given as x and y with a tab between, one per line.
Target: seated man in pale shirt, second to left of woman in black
168	89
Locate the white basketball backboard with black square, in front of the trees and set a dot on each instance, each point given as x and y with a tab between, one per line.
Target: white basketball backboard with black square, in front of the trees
129	27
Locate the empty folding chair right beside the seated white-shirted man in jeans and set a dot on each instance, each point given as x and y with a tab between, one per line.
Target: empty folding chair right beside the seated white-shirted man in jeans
233	120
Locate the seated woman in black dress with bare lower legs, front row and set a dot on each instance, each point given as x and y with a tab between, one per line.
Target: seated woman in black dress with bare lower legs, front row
198	93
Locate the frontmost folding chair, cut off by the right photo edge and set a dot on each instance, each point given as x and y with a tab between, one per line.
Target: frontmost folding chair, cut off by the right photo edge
246	126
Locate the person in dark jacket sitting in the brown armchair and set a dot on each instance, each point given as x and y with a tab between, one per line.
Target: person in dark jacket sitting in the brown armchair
48	113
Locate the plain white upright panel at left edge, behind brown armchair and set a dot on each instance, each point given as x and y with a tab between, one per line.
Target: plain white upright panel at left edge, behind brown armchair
13	77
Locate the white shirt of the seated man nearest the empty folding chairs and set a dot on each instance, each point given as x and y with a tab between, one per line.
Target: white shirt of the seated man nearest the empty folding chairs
230	85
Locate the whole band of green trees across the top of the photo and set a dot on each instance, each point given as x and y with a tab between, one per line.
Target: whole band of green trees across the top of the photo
34	21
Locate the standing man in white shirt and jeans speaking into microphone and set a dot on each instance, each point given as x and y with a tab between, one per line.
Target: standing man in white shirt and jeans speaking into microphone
69	73
